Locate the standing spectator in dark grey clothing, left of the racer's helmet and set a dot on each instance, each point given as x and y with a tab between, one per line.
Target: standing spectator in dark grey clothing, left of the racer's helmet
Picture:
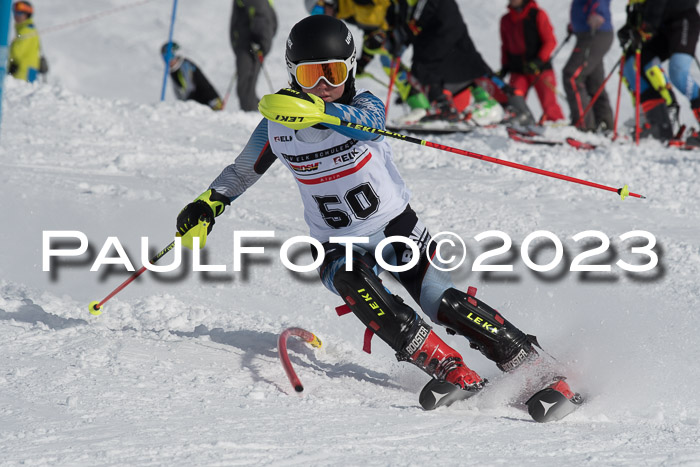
253	25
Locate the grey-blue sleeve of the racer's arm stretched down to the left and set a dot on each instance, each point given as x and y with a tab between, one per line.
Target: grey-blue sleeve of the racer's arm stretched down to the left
253	161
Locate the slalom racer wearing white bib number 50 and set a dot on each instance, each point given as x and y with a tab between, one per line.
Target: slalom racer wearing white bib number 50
350	186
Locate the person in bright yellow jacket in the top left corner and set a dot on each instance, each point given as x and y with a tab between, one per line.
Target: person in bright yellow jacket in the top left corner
25	50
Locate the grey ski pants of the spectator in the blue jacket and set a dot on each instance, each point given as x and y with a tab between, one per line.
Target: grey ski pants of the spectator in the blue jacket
583	75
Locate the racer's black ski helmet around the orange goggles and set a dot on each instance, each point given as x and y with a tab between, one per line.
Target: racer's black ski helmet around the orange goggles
317	38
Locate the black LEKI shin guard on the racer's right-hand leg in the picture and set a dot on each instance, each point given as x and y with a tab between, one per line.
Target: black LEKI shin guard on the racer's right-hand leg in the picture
486	330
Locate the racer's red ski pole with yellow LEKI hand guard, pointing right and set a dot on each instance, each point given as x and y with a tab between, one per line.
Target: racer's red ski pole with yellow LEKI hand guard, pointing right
291	109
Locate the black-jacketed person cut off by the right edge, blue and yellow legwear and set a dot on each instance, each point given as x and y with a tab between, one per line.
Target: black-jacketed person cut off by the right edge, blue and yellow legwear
662	30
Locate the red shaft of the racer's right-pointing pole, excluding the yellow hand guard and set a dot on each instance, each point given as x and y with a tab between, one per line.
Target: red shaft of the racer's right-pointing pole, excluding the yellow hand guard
623	192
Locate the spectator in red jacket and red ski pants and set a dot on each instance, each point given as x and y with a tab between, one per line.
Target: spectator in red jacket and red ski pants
527	42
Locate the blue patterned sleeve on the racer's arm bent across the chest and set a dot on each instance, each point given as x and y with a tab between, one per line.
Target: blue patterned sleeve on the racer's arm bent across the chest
365	109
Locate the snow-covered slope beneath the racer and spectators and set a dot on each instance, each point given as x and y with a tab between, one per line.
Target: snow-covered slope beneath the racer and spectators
182	369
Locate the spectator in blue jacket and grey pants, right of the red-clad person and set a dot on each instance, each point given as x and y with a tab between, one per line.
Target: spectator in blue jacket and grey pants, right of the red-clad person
584	72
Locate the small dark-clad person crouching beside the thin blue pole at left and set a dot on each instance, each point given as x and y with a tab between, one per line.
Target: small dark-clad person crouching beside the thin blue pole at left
189	83
